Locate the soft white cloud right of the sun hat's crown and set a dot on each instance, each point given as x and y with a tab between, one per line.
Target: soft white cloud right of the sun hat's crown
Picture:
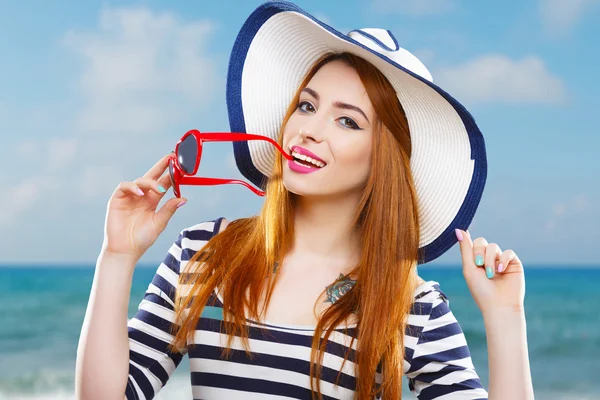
497	78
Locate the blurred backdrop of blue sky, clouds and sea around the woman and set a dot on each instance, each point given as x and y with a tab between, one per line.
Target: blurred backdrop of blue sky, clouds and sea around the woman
94	93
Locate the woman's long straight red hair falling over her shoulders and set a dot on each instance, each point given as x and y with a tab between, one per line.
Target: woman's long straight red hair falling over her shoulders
239	260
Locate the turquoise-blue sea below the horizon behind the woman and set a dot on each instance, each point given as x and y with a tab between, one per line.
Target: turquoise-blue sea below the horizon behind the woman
42	310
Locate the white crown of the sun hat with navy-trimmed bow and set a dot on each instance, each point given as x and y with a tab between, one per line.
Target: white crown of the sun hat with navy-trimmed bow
383	42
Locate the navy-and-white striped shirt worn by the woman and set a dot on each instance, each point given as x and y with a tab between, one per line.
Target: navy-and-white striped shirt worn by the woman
437	361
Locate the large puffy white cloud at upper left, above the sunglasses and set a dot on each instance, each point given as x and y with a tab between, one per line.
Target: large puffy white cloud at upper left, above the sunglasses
143	71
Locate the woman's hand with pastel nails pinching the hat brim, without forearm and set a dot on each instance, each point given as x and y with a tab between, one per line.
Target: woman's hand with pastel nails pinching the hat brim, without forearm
495	278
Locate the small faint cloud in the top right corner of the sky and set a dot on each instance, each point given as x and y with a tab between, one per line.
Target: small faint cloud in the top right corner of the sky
560	16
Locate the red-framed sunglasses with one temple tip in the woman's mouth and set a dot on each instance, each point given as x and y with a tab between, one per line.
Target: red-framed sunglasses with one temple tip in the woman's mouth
188	152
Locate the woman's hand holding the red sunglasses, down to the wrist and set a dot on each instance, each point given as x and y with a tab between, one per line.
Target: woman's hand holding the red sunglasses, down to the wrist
132	225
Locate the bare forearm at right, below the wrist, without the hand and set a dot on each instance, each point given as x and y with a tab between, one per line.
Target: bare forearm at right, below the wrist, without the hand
508	359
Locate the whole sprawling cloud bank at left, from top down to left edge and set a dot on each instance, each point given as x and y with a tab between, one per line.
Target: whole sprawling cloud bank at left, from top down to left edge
143	73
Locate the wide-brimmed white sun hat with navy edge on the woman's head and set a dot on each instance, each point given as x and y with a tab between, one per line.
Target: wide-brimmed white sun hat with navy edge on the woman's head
272	53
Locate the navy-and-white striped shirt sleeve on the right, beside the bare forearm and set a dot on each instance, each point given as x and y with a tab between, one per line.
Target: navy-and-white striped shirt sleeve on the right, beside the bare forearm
438	361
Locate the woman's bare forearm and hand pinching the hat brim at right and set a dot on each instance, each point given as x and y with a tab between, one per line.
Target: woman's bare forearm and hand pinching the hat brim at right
496	281
